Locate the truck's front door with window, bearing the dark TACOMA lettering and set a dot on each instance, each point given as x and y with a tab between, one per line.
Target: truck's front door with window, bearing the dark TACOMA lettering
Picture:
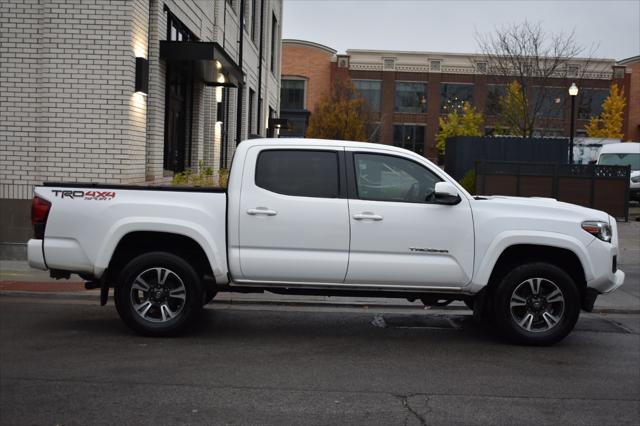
399	235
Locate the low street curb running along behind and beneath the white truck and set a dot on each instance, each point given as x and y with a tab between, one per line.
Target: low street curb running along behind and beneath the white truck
95	297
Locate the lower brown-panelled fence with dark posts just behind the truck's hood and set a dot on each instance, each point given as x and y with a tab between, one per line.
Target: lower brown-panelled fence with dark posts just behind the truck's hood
600	187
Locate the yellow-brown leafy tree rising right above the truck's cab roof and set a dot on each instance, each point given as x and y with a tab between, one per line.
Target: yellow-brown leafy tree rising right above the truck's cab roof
341	115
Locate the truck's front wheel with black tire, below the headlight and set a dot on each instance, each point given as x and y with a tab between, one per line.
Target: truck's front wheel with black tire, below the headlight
542	318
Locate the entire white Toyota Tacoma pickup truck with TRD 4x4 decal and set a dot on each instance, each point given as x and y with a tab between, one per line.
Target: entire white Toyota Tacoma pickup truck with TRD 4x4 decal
322	217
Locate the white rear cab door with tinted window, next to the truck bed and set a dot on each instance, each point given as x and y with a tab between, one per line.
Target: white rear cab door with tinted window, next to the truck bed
293	216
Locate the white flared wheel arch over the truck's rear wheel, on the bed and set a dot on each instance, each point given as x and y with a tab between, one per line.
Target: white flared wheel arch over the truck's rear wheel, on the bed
216	255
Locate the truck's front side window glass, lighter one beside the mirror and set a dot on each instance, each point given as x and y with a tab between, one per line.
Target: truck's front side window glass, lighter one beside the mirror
390	178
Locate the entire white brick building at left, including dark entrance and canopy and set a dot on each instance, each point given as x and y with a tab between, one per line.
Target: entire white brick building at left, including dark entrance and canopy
128	91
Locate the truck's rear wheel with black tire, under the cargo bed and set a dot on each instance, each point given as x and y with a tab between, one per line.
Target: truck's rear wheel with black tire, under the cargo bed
169	305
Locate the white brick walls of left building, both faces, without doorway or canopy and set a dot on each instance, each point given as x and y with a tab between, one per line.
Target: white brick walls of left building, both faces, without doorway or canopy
68	111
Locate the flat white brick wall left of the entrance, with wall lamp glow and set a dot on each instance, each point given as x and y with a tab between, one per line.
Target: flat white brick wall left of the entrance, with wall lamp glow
68	108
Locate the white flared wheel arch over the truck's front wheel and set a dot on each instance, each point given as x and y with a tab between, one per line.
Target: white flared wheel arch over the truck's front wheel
485	264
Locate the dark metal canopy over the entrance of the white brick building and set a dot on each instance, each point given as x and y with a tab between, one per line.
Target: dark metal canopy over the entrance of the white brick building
206	54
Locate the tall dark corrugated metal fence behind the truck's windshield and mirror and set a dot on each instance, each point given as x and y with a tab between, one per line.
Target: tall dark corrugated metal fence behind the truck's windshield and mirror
462	152
